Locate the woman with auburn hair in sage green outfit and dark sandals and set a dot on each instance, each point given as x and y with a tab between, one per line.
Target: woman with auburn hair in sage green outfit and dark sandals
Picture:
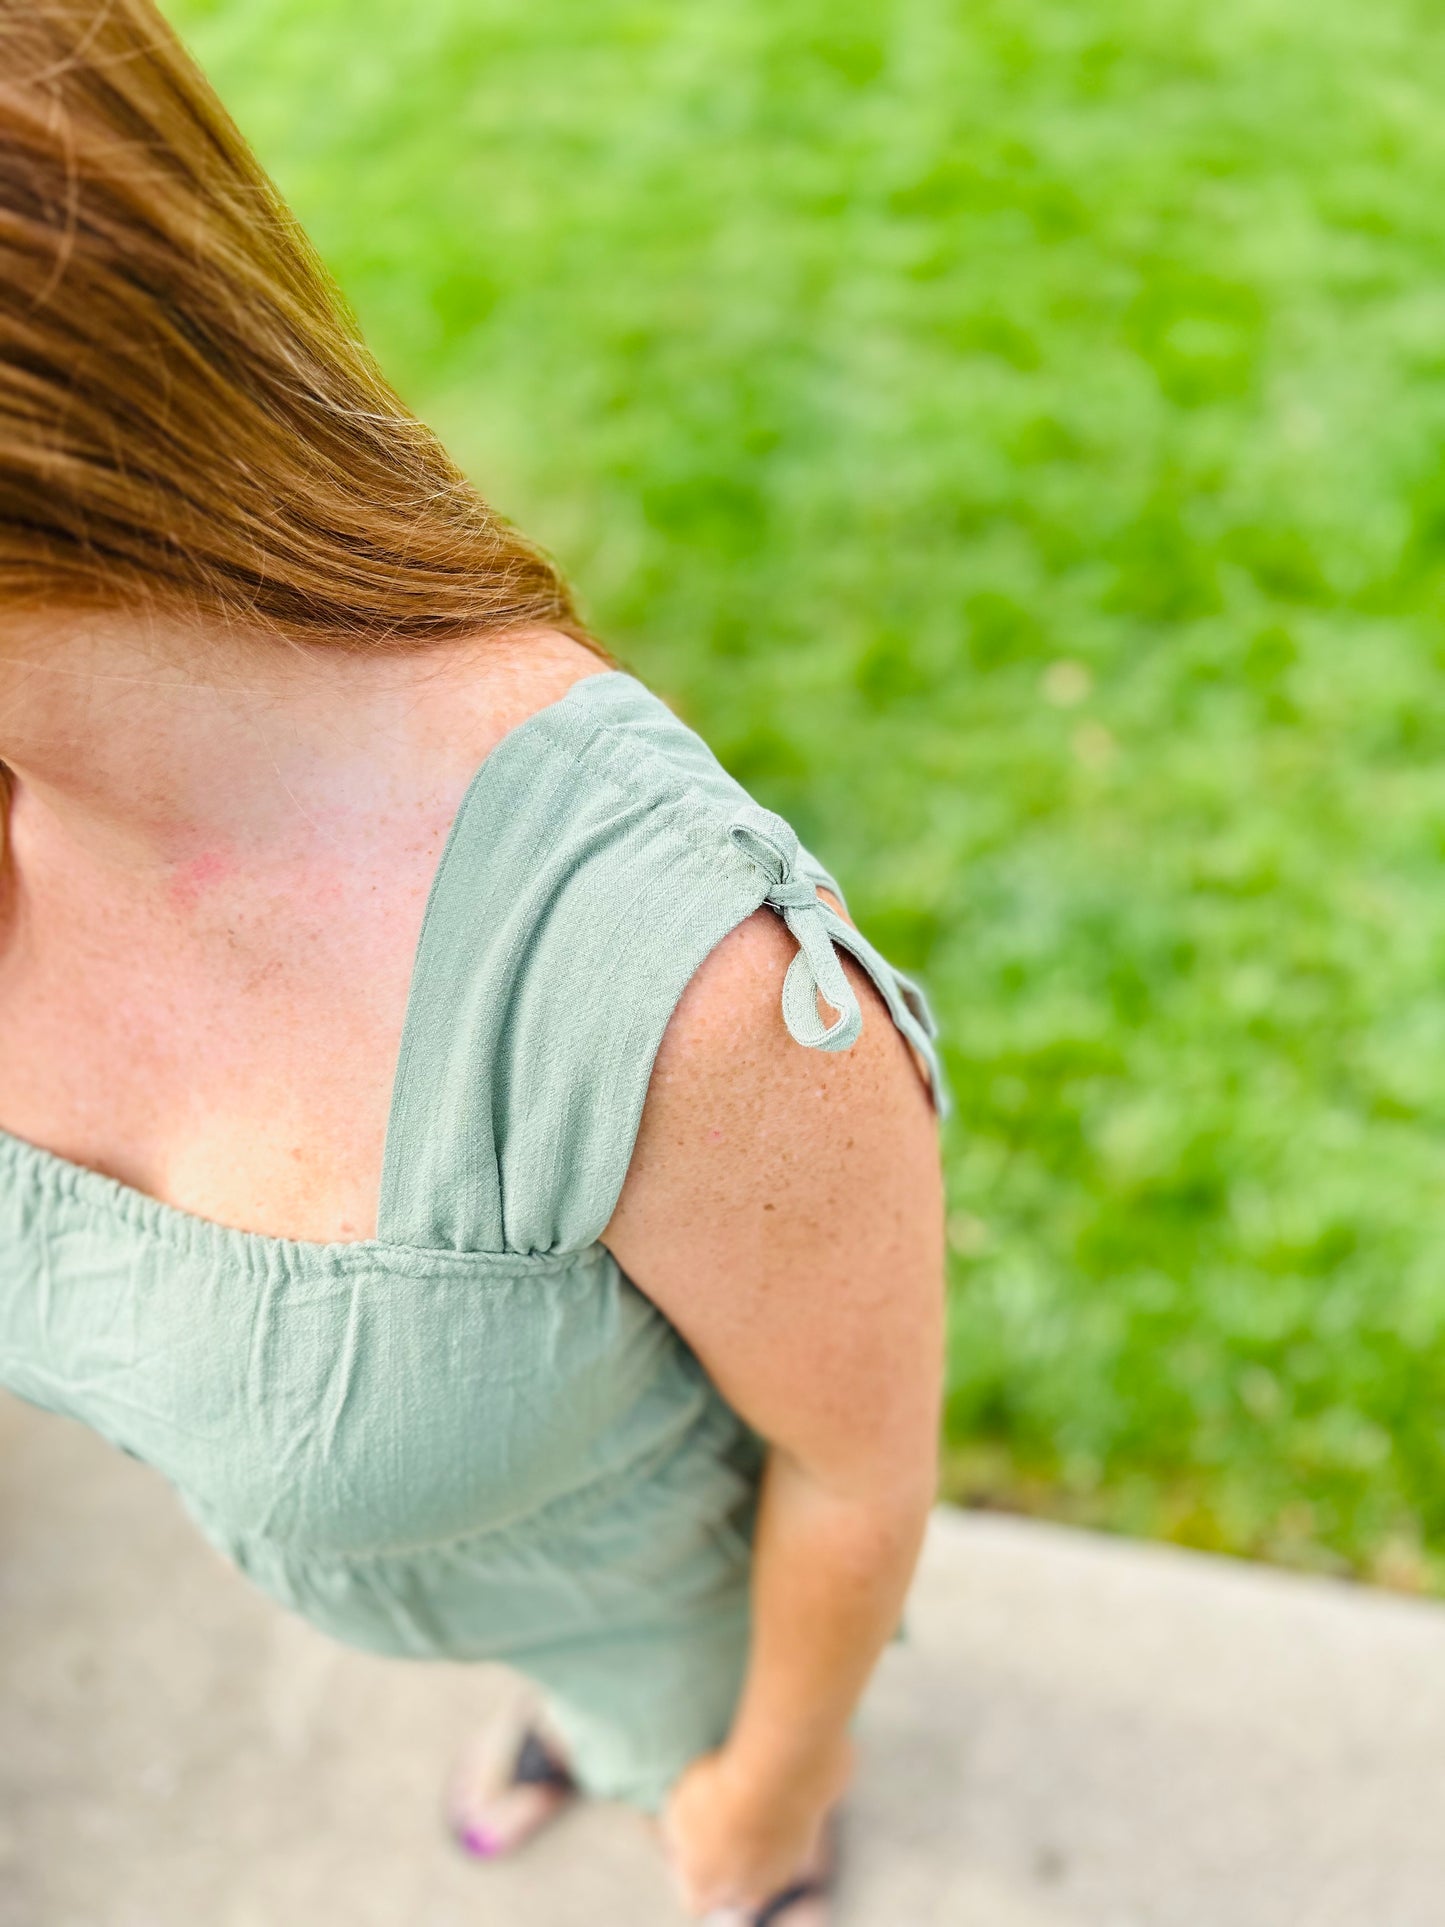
450	1128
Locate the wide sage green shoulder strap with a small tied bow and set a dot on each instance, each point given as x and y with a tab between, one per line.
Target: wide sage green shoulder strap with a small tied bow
598	858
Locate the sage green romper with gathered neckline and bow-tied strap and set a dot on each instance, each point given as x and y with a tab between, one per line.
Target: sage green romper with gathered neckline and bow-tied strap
473	1439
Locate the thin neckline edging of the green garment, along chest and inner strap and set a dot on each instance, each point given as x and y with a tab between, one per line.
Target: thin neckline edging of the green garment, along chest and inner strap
111	1196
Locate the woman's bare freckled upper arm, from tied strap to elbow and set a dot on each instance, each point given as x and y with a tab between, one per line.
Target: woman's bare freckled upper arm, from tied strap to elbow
783	1209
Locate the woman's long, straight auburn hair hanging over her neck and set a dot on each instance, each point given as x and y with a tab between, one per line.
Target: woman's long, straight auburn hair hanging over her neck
188	417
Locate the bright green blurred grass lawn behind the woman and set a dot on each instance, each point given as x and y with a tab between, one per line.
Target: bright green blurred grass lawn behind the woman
1016	435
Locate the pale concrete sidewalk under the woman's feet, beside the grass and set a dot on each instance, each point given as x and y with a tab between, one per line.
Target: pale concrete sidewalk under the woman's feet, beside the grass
1080	1735
